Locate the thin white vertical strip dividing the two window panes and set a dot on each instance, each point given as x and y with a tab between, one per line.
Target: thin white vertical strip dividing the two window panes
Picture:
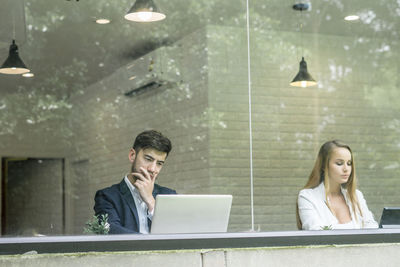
250	127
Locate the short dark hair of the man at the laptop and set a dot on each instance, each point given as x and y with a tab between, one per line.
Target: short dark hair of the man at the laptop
152	139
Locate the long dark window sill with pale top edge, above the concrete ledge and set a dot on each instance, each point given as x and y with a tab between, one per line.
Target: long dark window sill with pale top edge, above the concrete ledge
102	243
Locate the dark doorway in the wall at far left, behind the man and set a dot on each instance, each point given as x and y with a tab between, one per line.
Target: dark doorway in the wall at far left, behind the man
32	197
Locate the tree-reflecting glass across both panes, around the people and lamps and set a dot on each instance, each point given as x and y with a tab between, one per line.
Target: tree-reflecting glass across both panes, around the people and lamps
81	109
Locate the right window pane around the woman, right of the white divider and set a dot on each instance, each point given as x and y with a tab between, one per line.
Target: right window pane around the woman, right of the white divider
356	66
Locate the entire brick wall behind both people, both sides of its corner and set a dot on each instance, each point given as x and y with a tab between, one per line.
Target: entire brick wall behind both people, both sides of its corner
206	115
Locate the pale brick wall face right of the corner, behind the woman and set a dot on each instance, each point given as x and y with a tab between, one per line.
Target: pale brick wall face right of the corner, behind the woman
289	124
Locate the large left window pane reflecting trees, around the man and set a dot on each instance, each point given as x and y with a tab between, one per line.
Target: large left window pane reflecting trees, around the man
98	86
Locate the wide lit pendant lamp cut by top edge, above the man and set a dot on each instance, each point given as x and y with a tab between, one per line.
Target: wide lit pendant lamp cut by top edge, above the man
144	11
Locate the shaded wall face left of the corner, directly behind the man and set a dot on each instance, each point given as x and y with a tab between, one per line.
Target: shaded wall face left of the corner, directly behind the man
107	121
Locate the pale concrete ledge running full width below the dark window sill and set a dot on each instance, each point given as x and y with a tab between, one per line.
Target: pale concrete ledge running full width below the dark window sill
340	255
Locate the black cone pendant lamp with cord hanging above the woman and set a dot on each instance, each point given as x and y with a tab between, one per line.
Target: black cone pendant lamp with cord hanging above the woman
303	78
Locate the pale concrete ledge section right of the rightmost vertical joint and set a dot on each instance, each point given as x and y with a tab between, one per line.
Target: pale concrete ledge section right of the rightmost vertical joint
327	256
